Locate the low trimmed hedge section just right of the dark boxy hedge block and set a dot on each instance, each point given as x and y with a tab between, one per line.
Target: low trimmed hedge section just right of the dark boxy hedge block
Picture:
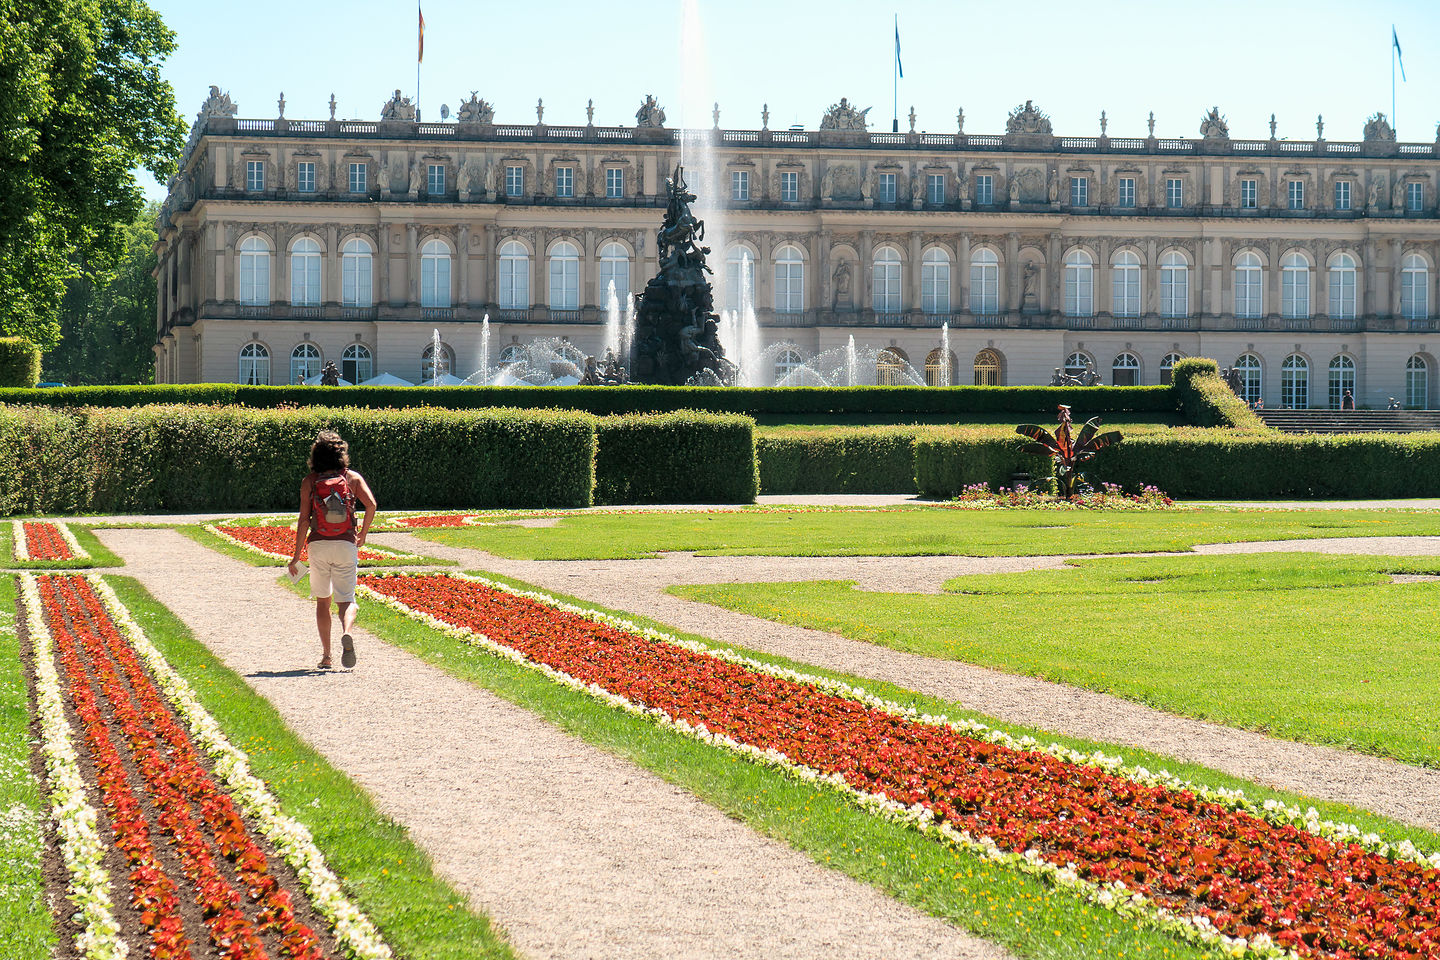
837	461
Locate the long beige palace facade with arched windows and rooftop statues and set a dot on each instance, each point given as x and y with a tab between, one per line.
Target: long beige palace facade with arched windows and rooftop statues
1310	266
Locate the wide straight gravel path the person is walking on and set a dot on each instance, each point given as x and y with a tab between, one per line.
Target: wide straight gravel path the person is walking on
574	851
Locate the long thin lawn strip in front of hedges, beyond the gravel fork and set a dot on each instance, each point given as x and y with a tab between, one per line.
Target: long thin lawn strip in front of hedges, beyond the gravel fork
919	532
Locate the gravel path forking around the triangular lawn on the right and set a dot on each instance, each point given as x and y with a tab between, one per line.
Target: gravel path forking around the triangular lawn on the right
1399	791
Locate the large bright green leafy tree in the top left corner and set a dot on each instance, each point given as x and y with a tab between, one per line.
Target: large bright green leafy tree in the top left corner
83	107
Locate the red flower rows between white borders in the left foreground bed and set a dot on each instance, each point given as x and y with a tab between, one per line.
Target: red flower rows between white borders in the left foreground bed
191	812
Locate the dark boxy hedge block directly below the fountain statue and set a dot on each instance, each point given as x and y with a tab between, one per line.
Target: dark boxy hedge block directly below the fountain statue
676	458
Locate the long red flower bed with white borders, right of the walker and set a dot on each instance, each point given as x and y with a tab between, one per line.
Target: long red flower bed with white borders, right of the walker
1261	880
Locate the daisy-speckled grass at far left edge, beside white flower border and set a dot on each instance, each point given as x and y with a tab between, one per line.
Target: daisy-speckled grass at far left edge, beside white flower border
25	923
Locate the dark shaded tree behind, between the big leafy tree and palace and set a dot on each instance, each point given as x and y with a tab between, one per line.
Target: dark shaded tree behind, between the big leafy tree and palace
109	327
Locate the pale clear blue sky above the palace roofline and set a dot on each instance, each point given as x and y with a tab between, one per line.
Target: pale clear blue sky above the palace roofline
1124	57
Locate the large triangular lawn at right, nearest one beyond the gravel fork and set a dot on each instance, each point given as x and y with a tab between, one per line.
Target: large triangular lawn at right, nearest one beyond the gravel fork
1305	647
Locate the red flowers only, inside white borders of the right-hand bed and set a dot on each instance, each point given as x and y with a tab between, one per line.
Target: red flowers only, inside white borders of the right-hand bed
1246	876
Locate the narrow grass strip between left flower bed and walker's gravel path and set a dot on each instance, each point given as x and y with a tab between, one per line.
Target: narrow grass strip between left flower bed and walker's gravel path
421	916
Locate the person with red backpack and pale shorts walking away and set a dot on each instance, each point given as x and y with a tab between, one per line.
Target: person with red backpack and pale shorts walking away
328	525
